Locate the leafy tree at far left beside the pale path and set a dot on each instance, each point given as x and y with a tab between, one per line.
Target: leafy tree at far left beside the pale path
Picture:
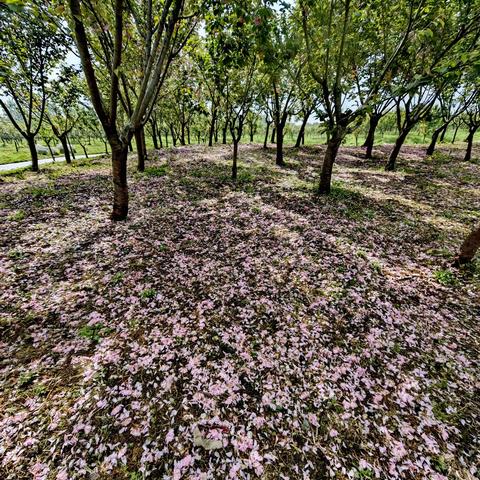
31	46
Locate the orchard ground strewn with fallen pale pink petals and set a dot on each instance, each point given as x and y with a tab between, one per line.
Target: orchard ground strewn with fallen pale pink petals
240	331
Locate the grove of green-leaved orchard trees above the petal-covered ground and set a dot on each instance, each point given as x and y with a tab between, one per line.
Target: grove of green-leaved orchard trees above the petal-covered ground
216	72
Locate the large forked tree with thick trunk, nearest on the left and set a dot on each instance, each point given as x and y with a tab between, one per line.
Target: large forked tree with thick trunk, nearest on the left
101	31
